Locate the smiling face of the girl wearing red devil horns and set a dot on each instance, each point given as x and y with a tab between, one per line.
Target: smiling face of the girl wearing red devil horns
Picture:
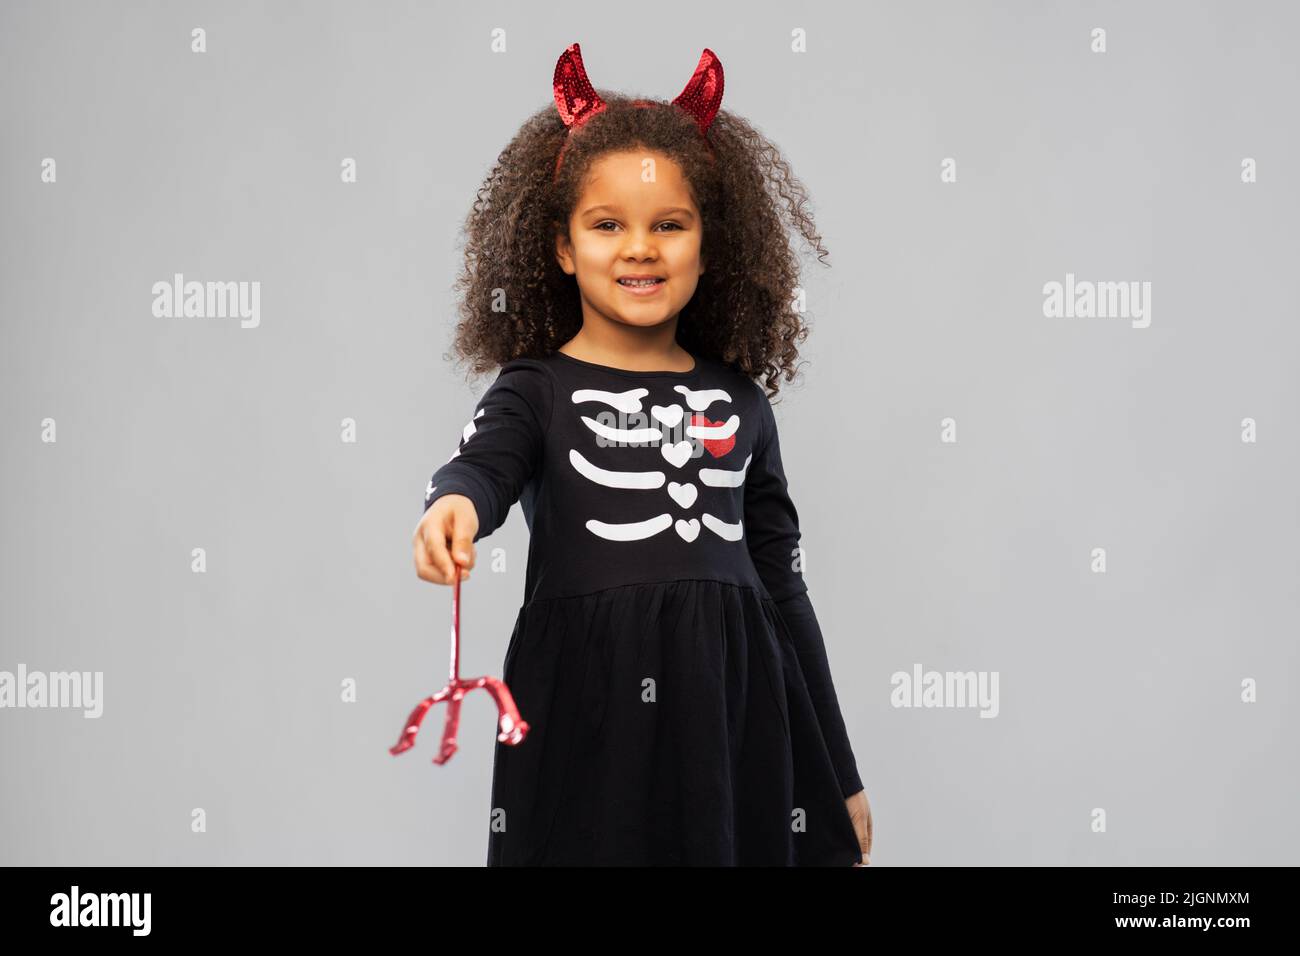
635	218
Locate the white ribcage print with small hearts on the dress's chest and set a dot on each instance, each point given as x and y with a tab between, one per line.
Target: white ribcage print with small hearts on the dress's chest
675	455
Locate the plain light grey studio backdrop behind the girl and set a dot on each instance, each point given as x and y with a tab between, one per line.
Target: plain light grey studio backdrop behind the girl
1119	691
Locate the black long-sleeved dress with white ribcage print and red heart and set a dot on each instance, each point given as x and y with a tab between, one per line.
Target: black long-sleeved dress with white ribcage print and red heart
666	657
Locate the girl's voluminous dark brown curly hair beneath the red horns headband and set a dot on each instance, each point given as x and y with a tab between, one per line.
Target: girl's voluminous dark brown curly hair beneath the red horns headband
518	302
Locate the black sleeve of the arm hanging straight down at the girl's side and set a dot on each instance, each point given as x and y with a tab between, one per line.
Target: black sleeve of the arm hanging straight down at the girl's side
773	533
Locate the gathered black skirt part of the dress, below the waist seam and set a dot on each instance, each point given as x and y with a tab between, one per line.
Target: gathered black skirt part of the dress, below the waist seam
669	725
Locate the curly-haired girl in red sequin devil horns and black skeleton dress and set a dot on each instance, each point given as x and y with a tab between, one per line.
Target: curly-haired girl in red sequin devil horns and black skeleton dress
629	270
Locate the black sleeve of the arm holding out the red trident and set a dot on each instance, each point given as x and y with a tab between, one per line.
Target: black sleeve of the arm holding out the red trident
501	448
